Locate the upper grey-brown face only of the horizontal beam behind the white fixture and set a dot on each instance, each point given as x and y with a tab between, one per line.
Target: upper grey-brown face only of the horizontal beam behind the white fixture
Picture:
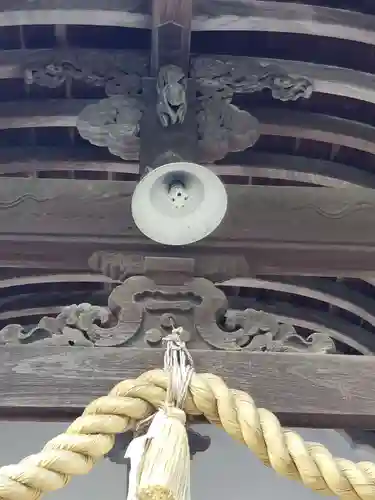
273	214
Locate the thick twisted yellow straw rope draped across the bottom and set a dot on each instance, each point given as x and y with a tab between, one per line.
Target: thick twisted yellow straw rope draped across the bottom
92	435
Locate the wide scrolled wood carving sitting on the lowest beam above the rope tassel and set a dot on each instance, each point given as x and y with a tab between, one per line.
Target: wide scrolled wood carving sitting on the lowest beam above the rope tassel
141	312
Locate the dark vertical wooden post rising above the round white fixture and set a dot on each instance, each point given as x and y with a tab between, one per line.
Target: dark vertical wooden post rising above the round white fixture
171	29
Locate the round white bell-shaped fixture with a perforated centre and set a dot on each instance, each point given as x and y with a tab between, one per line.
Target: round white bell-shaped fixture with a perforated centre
179	203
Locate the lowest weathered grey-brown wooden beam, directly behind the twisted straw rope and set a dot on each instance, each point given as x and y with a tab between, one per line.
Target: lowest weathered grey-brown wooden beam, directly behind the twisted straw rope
302	389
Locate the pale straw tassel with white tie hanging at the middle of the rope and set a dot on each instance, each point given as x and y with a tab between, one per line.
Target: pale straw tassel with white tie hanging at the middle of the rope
160	460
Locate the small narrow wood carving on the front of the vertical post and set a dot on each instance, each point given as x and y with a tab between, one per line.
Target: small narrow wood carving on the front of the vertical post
172	100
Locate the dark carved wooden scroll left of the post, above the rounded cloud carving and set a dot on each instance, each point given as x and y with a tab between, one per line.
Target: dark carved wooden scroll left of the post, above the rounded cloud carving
119	73
